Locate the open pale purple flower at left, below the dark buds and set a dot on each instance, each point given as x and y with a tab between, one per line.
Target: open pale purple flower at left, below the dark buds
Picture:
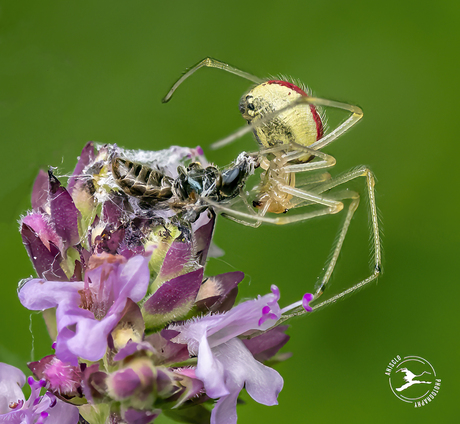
87	311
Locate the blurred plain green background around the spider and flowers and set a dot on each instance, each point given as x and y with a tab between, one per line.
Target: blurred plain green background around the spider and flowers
96	70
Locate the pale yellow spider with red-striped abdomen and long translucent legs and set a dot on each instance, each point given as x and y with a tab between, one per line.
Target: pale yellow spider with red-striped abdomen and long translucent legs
288	126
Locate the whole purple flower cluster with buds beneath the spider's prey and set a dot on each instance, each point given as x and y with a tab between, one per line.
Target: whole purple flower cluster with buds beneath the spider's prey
138	329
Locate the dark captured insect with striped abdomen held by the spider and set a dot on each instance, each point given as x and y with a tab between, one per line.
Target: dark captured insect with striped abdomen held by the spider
190	192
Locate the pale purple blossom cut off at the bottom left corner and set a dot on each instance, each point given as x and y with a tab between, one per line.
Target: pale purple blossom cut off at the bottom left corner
14	409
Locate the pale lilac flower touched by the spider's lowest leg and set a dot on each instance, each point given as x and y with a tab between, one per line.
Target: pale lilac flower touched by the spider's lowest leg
225	364
